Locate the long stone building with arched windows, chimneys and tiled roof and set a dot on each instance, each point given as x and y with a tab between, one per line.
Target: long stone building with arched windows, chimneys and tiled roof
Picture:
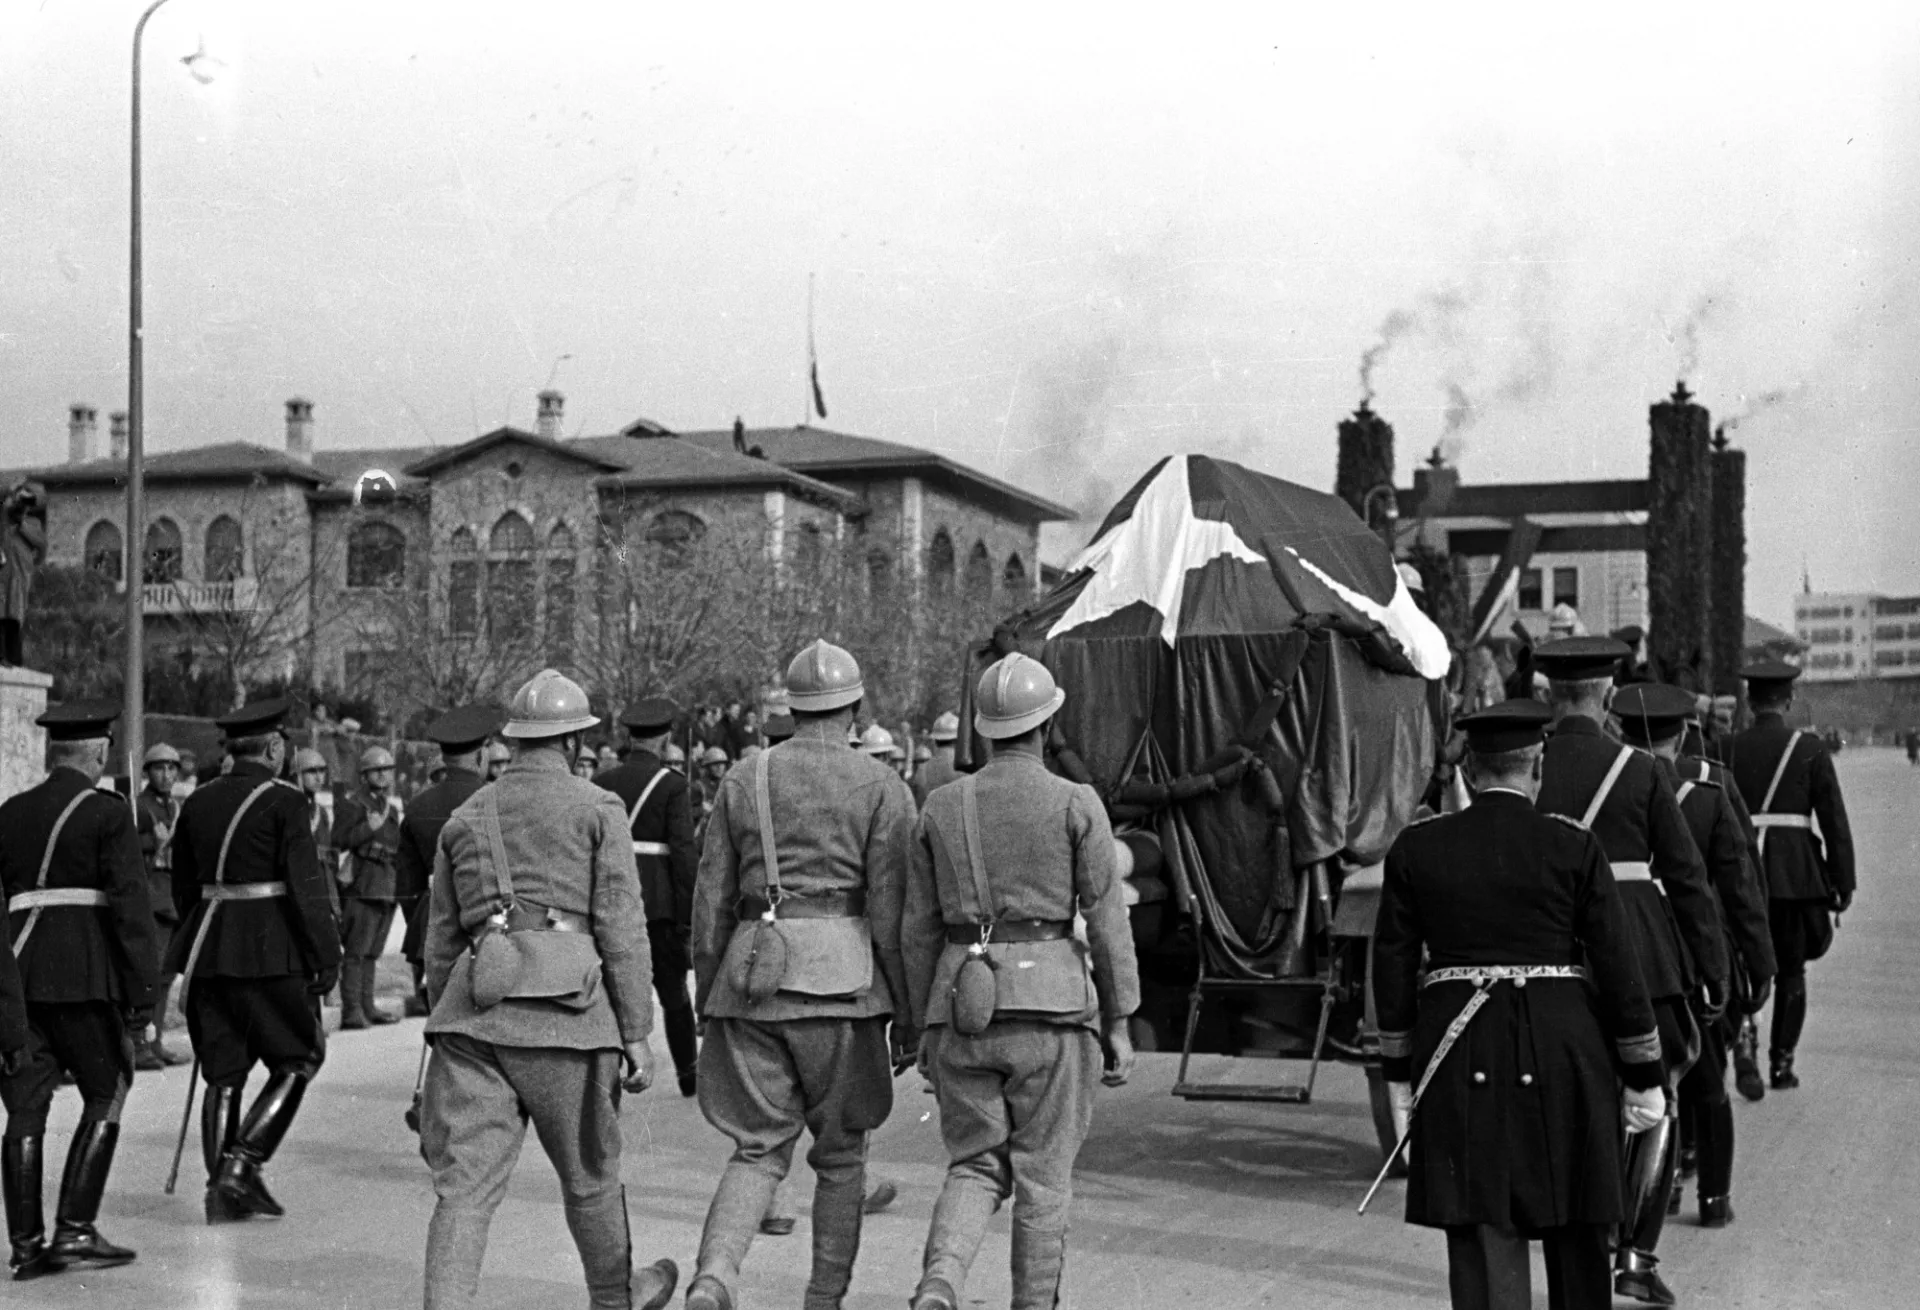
356	568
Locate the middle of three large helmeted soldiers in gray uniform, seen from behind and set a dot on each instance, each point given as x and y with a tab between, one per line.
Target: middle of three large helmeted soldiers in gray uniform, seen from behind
798	969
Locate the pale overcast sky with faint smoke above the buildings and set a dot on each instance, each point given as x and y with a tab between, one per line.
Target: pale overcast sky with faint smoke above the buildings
1051	243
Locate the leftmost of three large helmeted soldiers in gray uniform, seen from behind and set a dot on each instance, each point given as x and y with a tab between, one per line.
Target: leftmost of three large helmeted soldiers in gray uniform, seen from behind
539	975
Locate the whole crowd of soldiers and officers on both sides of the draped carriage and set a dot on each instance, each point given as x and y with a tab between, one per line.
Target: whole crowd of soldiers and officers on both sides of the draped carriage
1612	888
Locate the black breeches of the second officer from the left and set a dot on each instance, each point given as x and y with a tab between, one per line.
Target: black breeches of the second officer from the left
239	1021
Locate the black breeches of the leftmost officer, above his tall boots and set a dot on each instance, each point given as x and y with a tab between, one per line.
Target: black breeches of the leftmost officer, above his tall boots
82	1038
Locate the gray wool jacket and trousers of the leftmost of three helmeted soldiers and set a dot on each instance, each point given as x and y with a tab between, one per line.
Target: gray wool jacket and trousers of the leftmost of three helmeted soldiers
537	1061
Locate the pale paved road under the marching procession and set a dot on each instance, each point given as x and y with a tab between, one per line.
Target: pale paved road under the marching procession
1178	1205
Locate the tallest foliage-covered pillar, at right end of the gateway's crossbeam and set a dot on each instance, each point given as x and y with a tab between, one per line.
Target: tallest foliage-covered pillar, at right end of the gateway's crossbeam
1681	543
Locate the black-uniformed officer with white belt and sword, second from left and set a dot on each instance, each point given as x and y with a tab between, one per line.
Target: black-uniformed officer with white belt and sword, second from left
256	952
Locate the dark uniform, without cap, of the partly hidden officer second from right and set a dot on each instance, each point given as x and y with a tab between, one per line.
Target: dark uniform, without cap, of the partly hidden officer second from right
1717	831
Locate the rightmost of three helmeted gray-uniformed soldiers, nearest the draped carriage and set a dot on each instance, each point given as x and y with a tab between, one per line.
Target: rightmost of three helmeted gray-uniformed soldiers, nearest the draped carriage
1013	1013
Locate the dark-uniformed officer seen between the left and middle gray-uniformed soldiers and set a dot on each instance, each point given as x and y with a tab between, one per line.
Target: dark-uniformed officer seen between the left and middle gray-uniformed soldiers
660	810
